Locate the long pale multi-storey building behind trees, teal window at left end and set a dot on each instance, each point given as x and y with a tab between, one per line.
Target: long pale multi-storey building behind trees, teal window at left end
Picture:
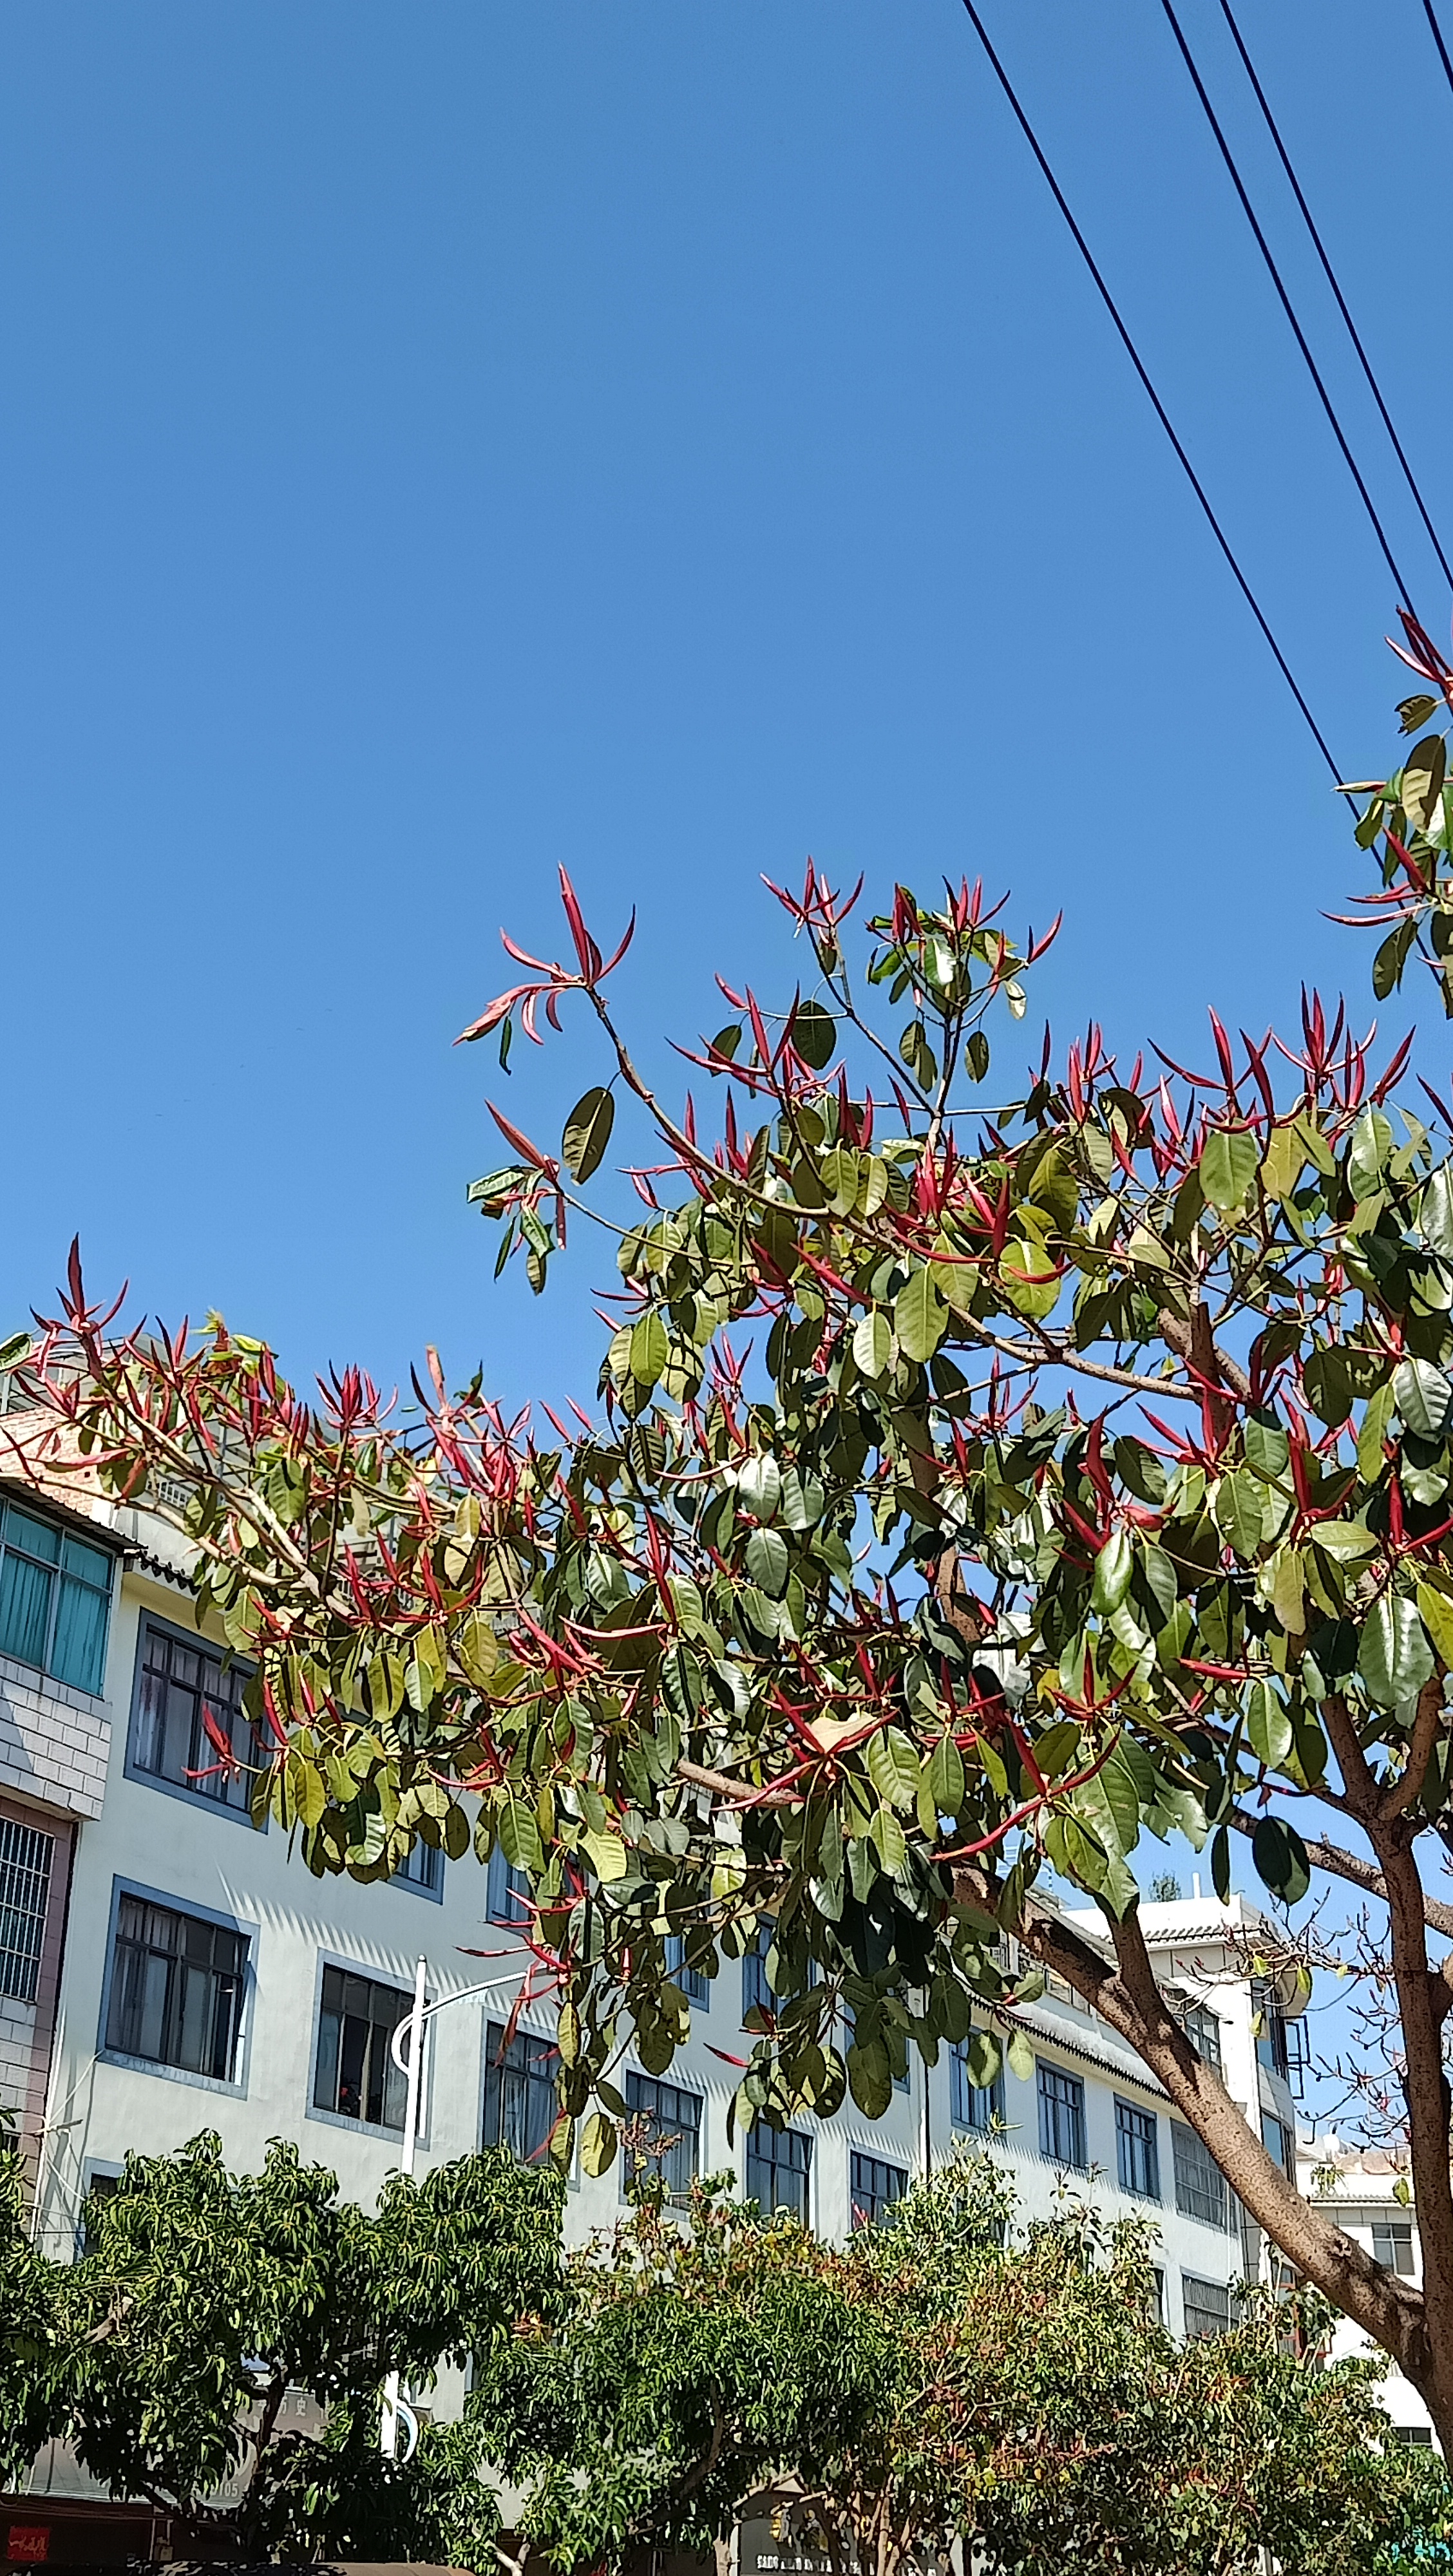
169	1969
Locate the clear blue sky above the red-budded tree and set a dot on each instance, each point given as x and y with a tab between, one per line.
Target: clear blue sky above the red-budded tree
663	437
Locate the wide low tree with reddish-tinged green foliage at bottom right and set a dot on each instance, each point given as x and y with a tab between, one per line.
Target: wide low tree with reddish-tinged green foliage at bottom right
939	2379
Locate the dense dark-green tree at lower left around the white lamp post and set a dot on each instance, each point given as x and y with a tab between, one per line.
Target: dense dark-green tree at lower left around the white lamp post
207	2297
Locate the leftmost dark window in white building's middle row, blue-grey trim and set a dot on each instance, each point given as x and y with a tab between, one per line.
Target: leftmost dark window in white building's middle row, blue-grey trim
176	1990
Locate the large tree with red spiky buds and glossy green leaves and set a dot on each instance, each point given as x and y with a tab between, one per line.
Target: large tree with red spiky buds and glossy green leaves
978	1488
